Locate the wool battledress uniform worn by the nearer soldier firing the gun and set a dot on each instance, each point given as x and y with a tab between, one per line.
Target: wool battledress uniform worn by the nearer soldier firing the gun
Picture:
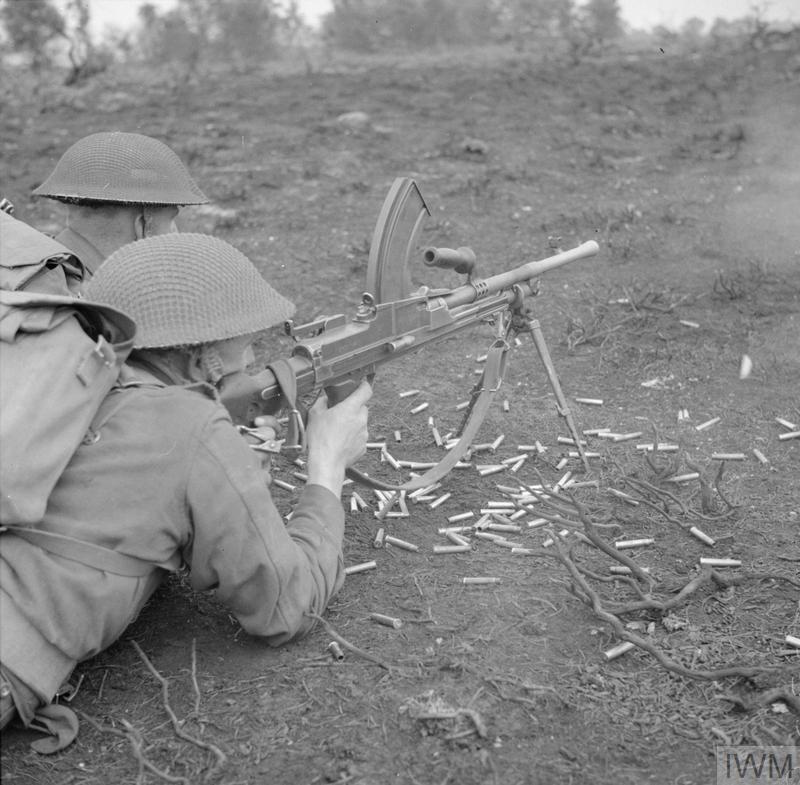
168	481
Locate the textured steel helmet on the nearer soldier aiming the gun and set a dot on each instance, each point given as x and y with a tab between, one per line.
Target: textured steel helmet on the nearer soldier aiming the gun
185	289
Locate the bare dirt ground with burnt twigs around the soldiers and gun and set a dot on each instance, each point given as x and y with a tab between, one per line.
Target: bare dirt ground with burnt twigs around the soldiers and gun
685	171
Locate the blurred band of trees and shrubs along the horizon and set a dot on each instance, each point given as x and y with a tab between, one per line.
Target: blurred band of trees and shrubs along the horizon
36	36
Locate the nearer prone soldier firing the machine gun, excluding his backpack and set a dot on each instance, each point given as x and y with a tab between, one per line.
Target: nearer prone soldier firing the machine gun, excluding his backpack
167	481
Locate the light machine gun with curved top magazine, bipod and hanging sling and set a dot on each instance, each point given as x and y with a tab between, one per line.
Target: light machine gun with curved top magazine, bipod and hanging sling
335	353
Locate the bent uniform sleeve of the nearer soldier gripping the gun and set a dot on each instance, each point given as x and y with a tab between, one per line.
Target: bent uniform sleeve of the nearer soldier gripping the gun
269	574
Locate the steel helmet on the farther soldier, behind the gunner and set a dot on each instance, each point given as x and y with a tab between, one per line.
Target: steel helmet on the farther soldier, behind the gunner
121	168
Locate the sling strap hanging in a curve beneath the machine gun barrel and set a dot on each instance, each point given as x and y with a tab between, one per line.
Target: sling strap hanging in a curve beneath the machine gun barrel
481	399
